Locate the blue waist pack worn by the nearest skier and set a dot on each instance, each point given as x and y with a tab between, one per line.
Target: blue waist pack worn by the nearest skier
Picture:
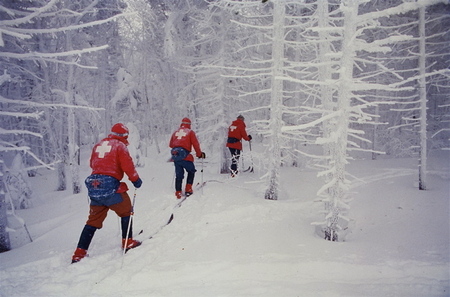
101	186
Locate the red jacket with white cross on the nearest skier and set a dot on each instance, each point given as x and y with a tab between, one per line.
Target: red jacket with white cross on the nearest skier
111	157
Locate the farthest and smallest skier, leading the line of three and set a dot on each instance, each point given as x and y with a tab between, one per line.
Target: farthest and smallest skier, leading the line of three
236	132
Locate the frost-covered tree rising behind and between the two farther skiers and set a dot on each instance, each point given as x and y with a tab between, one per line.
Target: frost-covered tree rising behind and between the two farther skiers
206	56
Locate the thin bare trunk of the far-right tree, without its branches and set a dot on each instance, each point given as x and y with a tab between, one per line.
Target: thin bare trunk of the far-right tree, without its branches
423	101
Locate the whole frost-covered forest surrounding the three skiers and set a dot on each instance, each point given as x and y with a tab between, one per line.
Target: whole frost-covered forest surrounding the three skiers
321	83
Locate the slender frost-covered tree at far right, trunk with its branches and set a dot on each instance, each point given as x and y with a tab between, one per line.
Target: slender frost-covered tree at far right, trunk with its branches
432	62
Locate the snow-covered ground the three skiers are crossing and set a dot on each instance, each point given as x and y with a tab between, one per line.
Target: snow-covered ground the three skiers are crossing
226	240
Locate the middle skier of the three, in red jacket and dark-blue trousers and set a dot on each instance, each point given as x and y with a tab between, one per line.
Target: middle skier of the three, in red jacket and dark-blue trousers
182	142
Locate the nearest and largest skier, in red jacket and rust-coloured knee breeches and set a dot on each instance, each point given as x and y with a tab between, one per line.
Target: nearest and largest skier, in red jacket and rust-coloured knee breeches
109	161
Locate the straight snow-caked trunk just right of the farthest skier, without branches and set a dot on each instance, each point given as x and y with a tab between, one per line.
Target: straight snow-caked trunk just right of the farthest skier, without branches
275	121
